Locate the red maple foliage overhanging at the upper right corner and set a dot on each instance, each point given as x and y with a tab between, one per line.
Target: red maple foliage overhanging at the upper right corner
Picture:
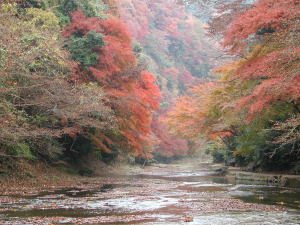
274	64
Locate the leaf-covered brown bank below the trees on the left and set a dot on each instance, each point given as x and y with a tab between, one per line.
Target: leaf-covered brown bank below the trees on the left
30	179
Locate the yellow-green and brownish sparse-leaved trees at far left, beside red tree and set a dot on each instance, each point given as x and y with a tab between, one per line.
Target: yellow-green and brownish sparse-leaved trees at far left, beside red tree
38	103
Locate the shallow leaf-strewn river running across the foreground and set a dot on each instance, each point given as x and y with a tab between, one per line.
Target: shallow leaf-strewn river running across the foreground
159	196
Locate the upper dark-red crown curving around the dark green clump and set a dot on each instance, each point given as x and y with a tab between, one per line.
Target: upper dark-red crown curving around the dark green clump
116	55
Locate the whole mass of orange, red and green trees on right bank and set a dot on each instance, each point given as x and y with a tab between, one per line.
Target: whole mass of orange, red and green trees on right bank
250	108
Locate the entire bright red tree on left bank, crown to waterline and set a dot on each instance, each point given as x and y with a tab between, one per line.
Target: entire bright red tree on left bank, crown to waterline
132	93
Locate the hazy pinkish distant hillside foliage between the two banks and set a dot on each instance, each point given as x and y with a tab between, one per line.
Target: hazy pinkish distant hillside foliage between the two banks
172	41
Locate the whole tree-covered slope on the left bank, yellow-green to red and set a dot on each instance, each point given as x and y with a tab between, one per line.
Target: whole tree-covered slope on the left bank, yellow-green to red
71	84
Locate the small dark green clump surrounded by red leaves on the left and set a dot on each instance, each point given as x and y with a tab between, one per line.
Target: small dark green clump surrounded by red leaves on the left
82	48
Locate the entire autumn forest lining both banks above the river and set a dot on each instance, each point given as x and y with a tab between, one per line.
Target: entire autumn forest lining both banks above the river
143	81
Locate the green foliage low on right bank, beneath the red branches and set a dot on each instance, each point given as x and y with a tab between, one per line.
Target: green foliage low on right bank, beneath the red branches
253	141
